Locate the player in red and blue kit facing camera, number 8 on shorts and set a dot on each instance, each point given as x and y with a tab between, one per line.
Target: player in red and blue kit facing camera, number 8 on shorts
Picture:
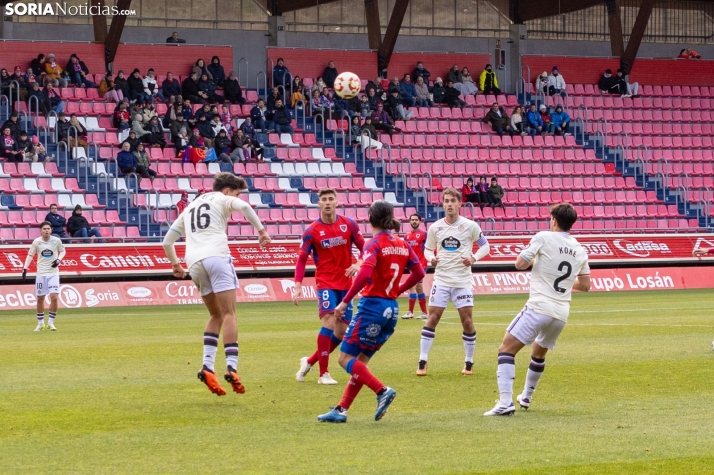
329	240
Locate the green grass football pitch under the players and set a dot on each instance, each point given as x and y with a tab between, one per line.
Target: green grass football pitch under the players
628	389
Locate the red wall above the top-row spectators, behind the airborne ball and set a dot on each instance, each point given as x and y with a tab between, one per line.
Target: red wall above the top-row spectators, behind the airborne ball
311	62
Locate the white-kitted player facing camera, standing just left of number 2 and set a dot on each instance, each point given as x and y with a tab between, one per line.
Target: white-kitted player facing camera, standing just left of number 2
452	238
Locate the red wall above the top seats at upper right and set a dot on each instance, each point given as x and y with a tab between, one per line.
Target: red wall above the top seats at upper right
678	72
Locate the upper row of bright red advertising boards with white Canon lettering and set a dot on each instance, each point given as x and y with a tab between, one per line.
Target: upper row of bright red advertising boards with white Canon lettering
149	259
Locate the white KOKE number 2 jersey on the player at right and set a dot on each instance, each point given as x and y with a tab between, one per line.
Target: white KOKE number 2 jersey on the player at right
558	259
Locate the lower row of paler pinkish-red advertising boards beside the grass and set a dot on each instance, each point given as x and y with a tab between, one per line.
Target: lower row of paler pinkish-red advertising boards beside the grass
183	292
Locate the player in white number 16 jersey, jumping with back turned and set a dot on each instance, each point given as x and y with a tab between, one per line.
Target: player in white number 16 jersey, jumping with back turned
210	265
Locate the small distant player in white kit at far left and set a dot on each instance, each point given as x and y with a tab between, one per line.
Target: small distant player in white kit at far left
49	251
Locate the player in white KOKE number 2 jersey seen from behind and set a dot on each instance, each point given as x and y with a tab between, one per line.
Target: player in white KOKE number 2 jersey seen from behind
560	264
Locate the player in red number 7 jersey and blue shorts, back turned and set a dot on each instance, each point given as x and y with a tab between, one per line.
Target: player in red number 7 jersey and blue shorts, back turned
386	256
